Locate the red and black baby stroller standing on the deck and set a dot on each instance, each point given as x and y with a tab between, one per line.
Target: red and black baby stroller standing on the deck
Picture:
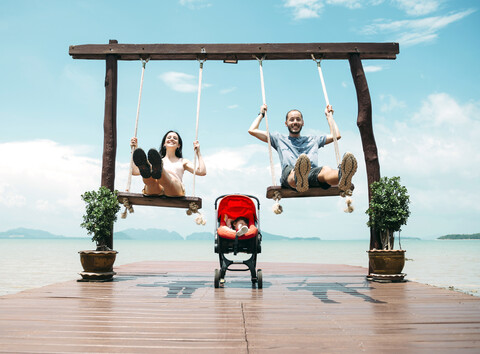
233	206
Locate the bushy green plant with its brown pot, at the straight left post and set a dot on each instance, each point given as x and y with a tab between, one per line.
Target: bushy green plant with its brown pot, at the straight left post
101	209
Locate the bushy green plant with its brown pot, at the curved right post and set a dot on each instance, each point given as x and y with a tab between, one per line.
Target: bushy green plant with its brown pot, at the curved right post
388	211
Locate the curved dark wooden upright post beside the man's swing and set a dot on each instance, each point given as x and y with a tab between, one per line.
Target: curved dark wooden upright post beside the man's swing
364	123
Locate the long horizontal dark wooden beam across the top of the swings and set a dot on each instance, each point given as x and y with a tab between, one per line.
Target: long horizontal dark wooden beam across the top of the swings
271	51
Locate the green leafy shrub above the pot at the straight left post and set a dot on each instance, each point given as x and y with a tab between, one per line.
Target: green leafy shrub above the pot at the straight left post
101	209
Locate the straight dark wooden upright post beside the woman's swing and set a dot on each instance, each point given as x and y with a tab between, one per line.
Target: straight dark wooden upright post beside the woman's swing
110	126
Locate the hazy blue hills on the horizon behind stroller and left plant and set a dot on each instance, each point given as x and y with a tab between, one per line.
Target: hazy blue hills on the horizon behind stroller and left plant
141	234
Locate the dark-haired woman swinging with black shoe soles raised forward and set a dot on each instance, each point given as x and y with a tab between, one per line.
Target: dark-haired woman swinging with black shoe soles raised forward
162	171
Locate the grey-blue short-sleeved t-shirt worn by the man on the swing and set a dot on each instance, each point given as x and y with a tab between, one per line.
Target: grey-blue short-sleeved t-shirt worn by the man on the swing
289	149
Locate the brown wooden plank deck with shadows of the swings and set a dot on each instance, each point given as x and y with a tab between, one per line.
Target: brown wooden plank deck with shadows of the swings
163	307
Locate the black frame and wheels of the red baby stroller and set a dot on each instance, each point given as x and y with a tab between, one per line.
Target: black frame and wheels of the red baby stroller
251	246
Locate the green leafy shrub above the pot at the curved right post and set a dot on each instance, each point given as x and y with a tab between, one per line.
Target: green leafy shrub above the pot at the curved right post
388	209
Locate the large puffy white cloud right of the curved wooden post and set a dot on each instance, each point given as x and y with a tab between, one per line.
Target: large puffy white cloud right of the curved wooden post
435	152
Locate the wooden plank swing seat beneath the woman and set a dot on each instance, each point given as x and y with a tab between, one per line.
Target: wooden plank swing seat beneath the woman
160	201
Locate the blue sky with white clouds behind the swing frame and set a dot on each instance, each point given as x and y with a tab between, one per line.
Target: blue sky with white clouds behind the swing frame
426	108
